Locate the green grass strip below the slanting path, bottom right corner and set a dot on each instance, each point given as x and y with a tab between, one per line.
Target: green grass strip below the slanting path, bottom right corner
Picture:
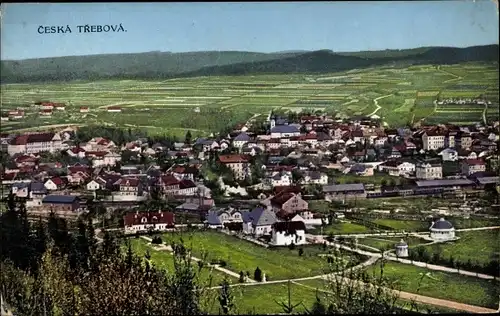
459	288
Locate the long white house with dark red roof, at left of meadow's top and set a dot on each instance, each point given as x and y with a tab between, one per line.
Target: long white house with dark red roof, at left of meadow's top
148	221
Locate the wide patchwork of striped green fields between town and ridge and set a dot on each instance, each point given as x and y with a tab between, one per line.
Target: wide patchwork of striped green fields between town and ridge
172	106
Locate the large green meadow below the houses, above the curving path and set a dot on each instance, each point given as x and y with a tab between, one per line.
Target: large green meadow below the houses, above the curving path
241	255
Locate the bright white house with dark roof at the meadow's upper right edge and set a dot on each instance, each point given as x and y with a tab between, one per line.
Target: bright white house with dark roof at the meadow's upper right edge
286	233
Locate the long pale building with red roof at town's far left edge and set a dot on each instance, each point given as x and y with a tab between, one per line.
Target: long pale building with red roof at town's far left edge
35	143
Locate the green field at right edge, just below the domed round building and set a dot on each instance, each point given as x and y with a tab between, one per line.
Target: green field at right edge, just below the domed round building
477	246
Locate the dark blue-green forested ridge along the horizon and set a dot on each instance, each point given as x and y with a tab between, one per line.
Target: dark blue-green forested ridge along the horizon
165	65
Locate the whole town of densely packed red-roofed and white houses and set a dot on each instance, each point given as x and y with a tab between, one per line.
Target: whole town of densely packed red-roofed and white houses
294	180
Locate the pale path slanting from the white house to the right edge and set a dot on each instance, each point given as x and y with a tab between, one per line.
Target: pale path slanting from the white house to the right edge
405	261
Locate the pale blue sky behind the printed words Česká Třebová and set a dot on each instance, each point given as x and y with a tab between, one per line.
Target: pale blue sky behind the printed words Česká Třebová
250	26
